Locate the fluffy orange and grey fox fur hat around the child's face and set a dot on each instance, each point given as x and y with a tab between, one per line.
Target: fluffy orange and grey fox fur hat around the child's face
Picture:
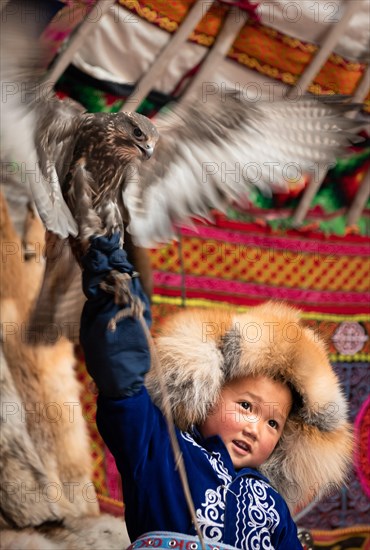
200	351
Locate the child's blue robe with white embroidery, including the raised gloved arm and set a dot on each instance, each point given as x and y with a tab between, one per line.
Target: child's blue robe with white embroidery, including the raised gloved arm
239	508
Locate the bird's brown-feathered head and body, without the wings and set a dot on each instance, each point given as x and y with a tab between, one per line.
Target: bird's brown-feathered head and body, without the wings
107	150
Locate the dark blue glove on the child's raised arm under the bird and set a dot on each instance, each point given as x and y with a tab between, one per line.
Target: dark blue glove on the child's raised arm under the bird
116	360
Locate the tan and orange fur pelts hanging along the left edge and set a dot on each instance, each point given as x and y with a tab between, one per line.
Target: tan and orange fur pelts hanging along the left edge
45	460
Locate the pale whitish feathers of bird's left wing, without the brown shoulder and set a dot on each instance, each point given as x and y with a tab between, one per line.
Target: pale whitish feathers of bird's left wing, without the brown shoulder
21	96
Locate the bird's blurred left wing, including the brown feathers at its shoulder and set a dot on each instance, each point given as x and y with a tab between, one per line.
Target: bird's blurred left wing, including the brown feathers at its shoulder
36	128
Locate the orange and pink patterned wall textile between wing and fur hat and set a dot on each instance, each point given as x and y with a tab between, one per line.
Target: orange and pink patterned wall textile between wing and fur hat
244	264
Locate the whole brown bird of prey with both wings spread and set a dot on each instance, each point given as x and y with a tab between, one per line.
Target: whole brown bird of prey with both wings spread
91	174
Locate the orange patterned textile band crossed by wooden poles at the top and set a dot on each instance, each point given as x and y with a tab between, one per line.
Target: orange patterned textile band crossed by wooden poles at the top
258	47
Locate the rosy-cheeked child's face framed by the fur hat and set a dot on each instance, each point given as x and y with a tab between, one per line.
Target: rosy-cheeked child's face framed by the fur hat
249	417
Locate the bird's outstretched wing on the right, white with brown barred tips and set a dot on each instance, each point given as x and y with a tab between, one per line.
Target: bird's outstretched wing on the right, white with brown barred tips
210	154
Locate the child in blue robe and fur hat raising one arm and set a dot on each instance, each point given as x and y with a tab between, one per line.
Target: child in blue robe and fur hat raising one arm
257	407
